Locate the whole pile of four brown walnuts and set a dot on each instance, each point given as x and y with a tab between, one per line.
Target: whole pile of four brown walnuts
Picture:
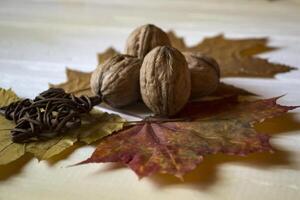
153	70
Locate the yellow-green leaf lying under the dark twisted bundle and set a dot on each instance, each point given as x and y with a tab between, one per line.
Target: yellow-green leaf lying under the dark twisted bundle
95	126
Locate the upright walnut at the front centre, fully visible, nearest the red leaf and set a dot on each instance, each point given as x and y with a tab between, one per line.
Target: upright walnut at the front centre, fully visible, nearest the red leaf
165	81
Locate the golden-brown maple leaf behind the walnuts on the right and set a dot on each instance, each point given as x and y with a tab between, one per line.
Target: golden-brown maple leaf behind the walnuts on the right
235	56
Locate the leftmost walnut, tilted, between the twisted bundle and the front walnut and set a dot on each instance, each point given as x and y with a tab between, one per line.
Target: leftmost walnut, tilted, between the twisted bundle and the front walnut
117	80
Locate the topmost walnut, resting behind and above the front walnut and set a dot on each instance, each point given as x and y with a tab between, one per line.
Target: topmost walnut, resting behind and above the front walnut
144	38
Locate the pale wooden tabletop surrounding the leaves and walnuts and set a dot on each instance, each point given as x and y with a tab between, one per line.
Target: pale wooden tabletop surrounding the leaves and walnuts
39	38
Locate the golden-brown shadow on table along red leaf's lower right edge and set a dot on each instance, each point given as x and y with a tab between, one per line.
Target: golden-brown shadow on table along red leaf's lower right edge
206	174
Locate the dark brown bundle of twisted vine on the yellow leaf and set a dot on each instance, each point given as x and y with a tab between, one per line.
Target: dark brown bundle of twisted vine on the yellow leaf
51	113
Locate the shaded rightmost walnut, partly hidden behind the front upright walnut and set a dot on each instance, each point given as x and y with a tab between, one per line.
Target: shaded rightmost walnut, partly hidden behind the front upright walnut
205	74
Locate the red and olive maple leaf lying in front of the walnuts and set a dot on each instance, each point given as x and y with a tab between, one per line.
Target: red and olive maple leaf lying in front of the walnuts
178	147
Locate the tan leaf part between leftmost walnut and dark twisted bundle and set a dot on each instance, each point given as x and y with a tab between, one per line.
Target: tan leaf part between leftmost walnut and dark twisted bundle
78	83
